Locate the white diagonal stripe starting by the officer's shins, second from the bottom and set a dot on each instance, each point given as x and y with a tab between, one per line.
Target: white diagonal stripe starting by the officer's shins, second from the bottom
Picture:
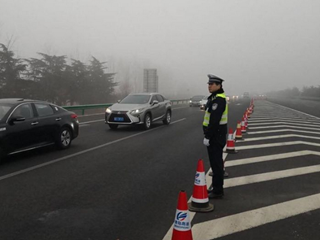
263	177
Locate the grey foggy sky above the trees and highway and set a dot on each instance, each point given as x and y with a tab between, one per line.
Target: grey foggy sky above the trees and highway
255	45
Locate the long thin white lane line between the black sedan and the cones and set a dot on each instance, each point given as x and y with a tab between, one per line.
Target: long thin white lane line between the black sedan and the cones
81	152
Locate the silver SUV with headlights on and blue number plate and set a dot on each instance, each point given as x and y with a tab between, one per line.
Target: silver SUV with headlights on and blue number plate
139	108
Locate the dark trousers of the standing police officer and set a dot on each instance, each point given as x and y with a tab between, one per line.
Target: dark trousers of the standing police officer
216	163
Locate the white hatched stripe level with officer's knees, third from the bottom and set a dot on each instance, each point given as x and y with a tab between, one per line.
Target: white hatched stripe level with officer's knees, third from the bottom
269	158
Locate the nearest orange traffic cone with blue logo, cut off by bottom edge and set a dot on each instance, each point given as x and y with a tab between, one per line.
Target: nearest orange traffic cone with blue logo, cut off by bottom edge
182	226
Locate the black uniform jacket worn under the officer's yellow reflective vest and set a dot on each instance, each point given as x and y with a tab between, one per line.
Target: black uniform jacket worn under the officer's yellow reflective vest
216	106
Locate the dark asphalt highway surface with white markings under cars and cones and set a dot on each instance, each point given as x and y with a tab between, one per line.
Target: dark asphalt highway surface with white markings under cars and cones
124	184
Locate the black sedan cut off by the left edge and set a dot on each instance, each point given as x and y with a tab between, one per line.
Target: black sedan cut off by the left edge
27	124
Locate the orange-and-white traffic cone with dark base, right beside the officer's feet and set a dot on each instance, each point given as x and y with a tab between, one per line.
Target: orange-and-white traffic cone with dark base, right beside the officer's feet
200	200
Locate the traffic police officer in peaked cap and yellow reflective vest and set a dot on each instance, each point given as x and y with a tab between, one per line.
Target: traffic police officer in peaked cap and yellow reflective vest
215	132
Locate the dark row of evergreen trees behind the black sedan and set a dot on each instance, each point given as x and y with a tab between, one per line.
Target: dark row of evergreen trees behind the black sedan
54	79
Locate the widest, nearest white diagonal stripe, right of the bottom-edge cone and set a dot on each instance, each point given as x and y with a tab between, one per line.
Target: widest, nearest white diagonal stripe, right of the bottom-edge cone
254	218
